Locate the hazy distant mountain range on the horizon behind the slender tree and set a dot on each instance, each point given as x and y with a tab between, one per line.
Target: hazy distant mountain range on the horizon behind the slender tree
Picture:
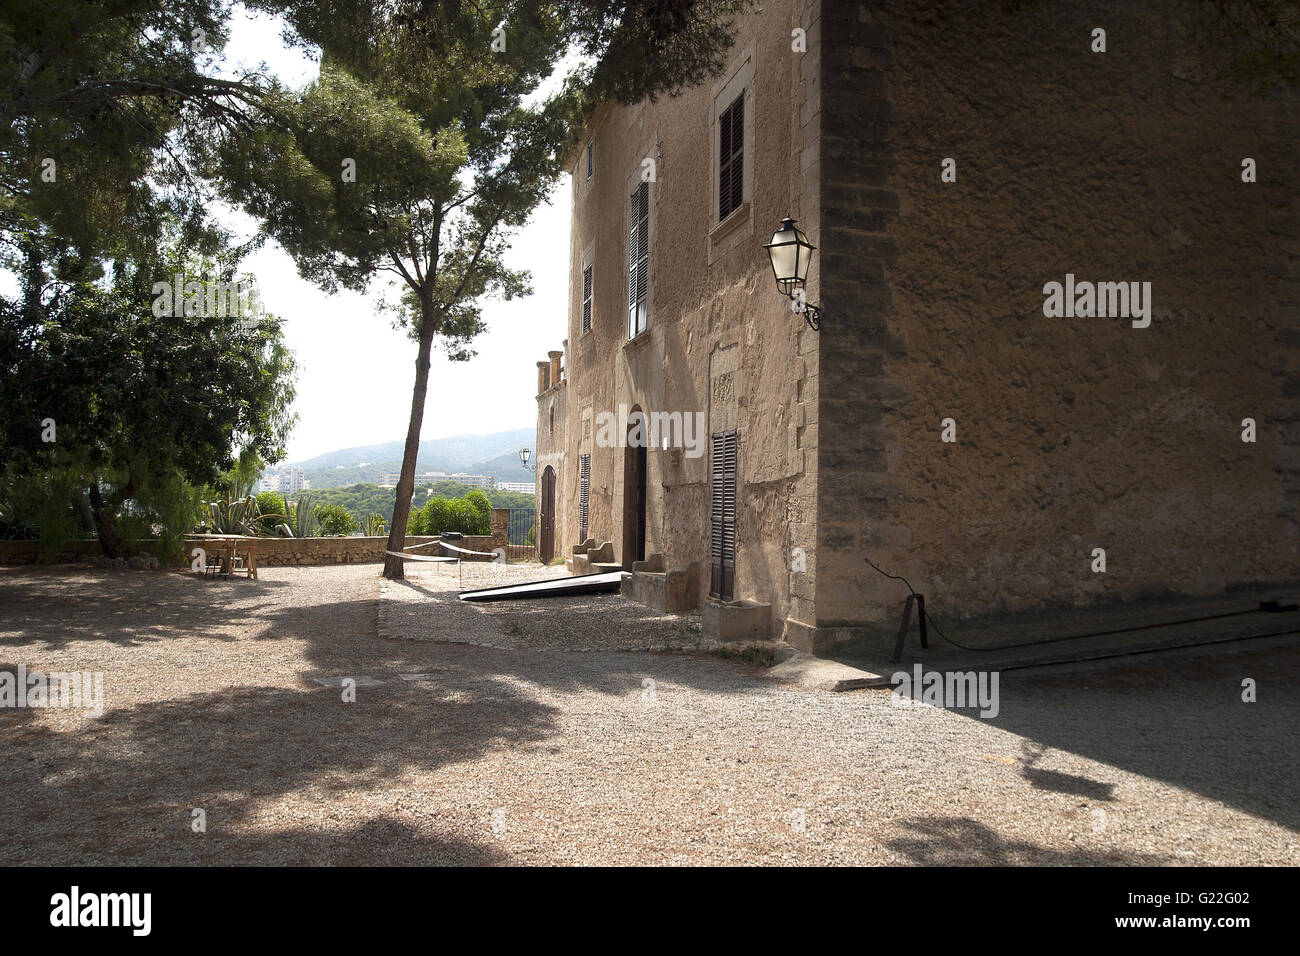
495	455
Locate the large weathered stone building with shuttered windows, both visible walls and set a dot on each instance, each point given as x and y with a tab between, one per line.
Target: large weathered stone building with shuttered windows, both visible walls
957	419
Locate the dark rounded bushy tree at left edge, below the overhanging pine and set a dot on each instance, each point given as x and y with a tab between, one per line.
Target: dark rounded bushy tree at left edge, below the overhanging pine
144	406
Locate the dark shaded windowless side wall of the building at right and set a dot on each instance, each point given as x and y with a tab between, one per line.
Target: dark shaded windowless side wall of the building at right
1072	434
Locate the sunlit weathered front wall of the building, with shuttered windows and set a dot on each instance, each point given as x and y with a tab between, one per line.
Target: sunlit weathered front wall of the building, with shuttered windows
721	341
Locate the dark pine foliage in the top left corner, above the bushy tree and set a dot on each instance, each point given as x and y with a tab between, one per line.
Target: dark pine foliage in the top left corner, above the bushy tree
112	92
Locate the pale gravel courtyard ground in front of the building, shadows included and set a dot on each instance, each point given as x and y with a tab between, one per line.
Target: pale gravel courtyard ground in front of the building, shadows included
547	733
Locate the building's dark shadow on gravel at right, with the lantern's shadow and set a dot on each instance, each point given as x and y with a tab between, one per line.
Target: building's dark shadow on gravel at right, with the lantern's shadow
1178	719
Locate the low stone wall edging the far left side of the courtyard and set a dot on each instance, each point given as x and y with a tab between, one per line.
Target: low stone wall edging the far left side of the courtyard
272	552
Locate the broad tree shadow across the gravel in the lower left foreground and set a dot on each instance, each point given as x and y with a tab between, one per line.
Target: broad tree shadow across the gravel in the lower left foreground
133	777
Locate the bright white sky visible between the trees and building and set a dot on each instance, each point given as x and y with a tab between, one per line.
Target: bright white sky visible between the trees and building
356	371
